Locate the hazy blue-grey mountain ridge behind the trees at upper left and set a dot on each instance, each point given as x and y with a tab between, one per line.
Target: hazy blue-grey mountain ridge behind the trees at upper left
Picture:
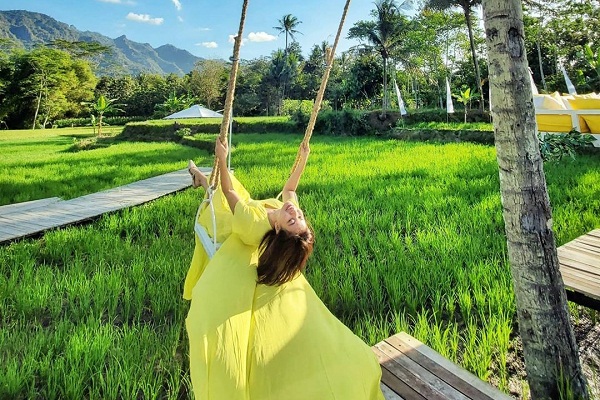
29	29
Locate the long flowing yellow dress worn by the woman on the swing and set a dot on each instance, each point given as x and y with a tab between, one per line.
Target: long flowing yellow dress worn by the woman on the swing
255	342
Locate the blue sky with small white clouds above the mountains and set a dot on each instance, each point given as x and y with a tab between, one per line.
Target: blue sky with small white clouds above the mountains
203	27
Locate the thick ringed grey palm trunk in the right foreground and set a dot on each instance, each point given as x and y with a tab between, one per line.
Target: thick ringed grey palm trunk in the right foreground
544	323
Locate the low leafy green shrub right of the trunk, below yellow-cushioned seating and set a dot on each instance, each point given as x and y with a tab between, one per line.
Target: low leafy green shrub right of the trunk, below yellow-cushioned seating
556	146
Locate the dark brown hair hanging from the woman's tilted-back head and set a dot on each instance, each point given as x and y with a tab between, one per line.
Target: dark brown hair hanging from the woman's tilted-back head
283	255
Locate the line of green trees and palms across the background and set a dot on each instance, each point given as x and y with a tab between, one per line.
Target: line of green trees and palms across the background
443	39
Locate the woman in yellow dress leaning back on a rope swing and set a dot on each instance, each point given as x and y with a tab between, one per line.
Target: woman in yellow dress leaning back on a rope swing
256	328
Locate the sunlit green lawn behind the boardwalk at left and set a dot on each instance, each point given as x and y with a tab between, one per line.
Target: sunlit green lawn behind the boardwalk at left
39	164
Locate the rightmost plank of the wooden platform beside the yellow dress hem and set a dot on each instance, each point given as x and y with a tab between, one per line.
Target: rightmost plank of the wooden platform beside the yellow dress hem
453	371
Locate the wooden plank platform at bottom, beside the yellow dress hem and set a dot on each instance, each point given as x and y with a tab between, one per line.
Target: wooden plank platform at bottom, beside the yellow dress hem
411	370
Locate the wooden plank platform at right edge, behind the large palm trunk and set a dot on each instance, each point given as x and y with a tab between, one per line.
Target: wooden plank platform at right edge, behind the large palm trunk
580	268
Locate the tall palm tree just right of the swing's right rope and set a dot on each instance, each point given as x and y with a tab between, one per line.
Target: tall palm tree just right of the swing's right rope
382	35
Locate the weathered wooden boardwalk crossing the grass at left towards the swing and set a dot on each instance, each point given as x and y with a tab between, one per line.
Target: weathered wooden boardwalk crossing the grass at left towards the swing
34	217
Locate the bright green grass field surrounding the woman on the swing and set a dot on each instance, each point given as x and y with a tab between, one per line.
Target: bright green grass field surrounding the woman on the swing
409	237
